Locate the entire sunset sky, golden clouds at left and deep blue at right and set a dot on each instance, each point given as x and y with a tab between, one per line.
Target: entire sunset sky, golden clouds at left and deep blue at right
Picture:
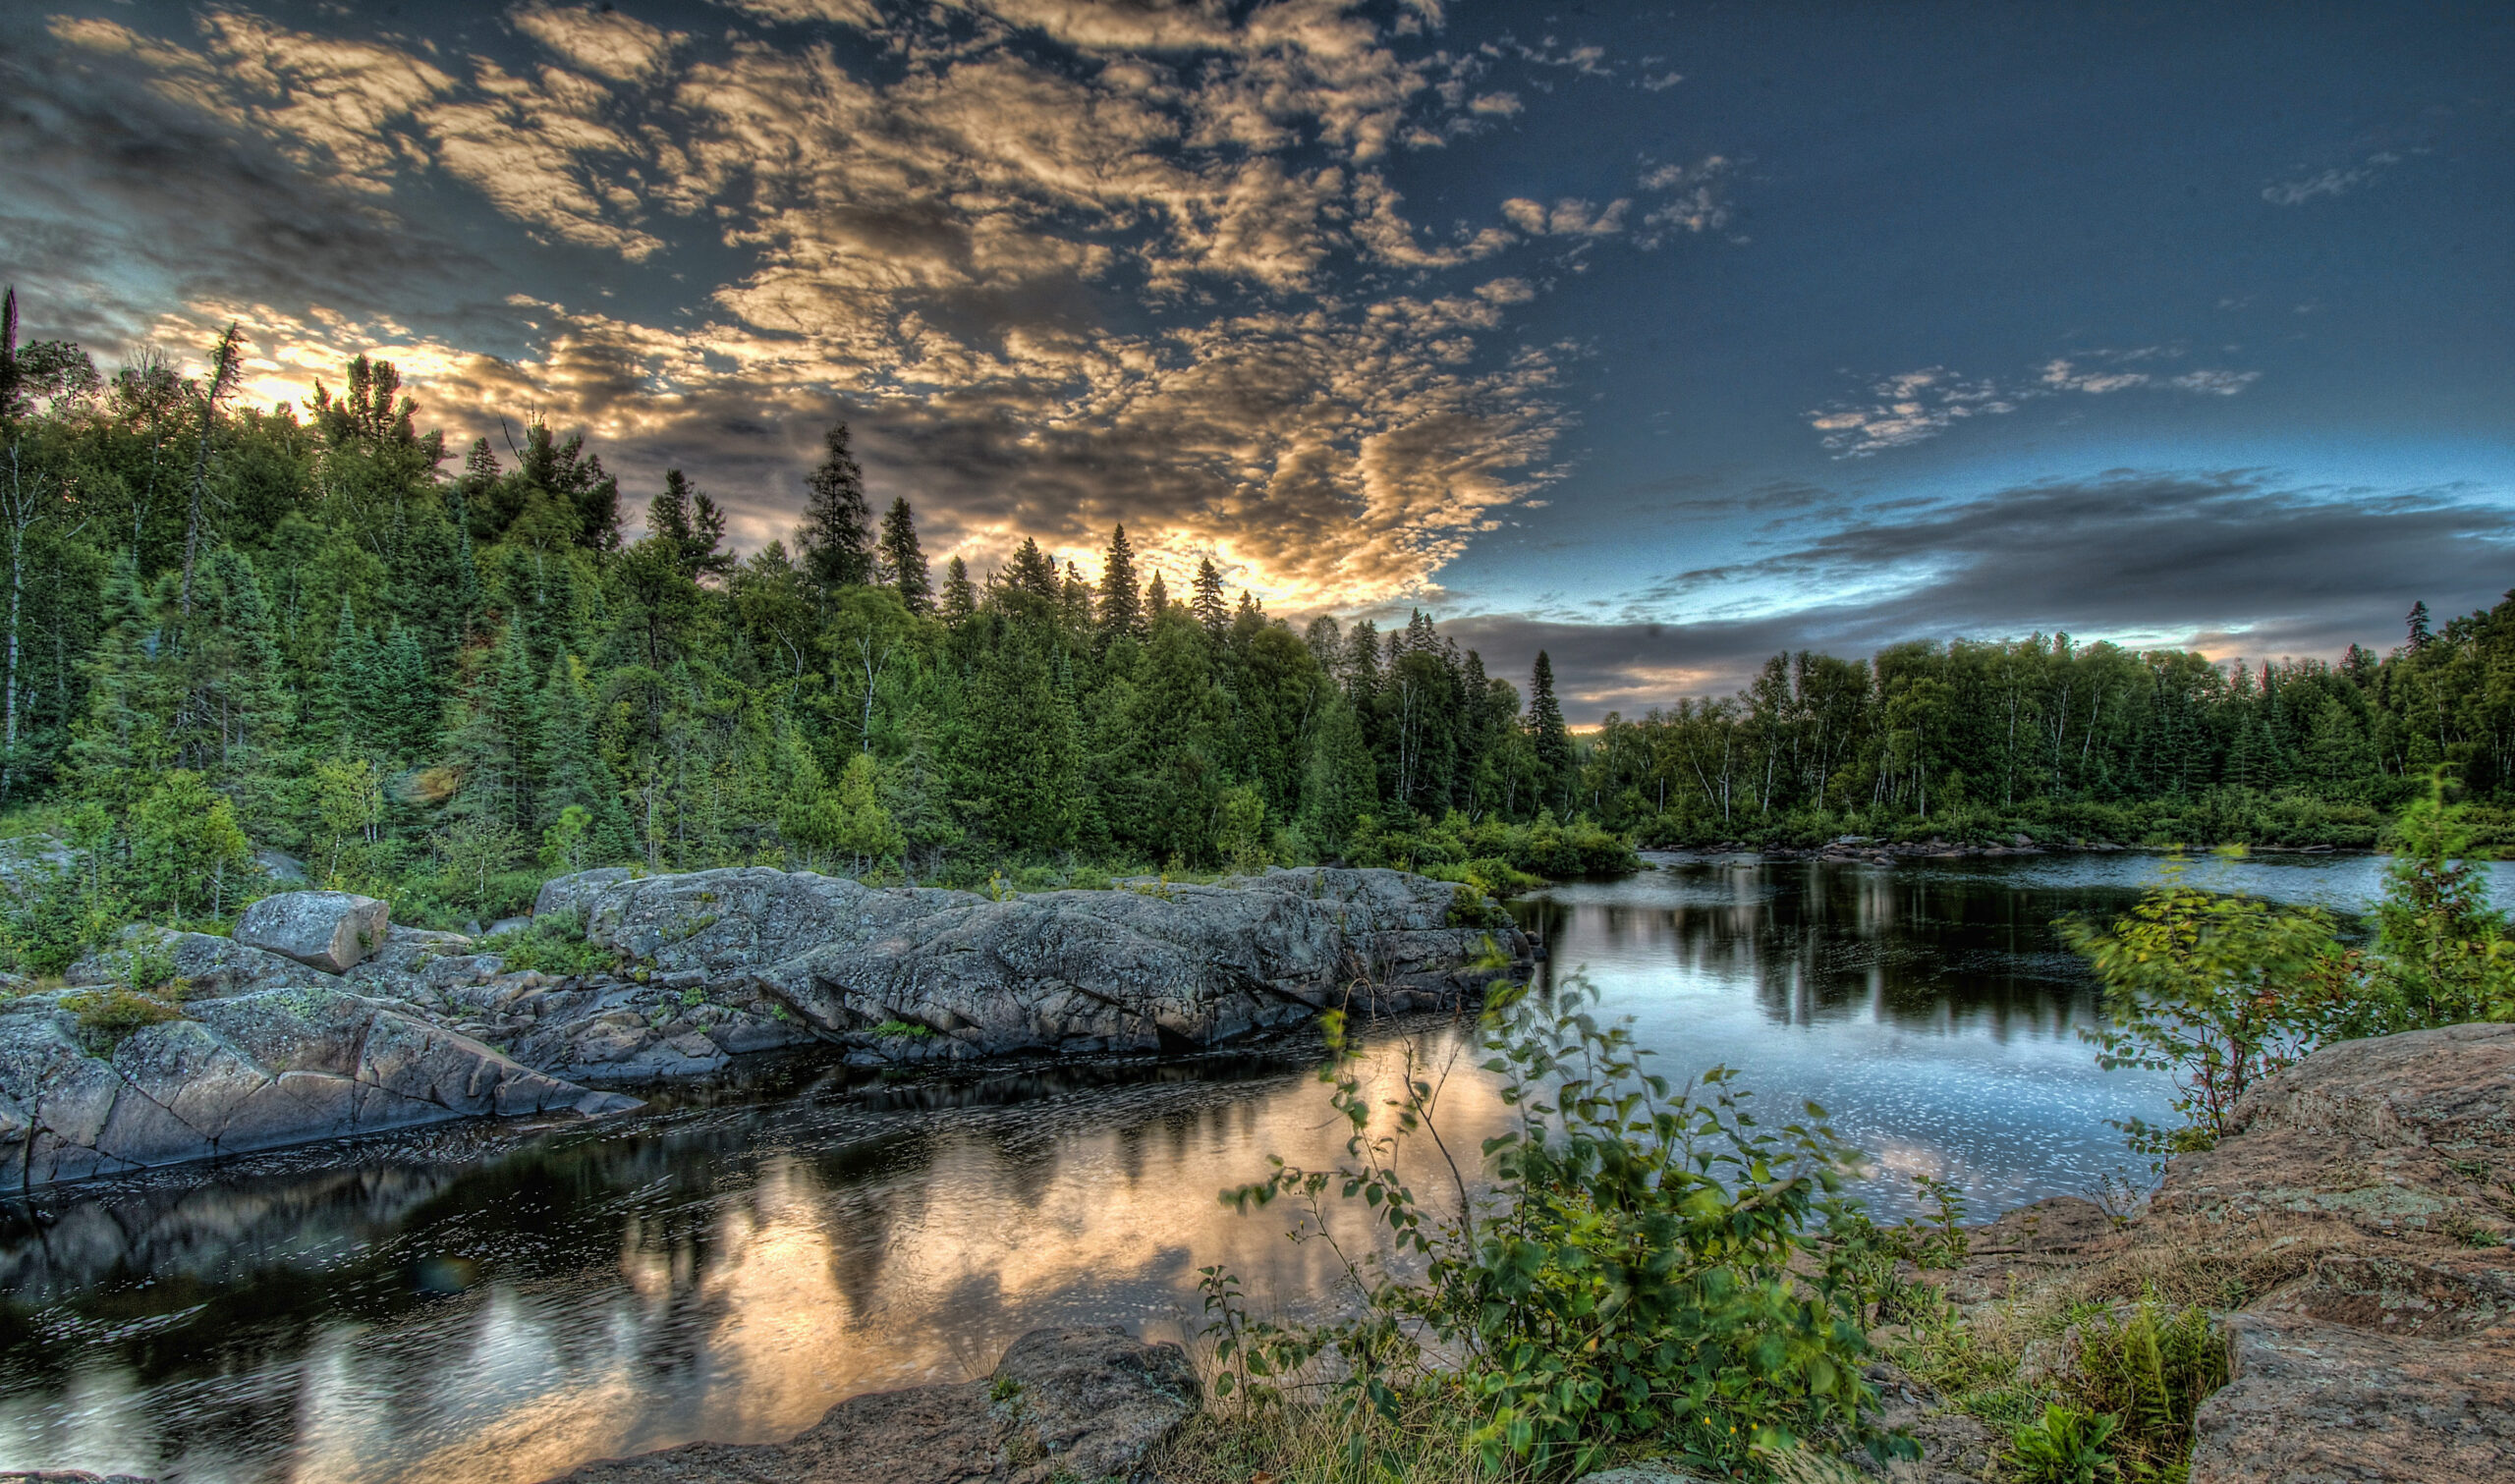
1661	338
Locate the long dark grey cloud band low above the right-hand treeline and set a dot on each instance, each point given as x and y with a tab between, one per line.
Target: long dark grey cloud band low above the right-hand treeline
2225	562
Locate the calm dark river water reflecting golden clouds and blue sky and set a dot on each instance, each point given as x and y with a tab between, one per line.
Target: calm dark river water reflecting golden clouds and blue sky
502	1304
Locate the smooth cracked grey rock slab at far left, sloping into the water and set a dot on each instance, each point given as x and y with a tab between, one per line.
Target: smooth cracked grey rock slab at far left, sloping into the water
243	1073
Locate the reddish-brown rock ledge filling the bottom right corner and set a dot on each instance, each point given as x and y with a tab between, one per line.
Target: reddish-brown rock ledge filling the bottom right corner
2393	1357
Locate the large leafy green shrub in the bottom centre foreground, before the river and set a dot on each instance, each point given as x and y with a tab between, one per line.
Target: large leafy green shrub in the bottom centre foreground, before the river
1641	1261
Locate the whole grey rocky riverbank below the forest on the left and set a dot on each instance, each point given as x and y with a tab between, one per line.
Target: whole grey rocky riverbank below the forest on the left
328	1022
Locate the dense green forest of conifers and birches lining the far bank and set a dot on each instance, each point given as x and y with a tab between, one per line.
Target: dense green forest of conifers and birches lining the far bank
444	675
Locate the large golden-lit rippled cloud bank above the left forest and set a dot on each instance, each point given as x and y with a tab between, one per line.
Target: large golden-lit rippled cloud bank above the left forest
1063	263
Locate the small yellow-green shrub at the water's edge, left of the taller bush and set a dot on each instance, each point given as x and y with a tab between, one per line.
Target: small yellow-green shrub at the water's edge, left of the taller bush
2209	987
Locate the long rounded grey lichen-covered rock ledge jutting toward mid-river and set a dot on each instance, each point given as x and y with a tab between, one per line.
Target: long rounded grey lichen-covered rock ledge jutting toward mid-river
1136	970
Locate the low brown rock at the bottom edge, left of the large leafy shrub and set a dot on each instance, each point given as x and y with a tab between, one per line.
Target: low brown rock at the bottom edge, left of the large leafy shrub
1063	1405
